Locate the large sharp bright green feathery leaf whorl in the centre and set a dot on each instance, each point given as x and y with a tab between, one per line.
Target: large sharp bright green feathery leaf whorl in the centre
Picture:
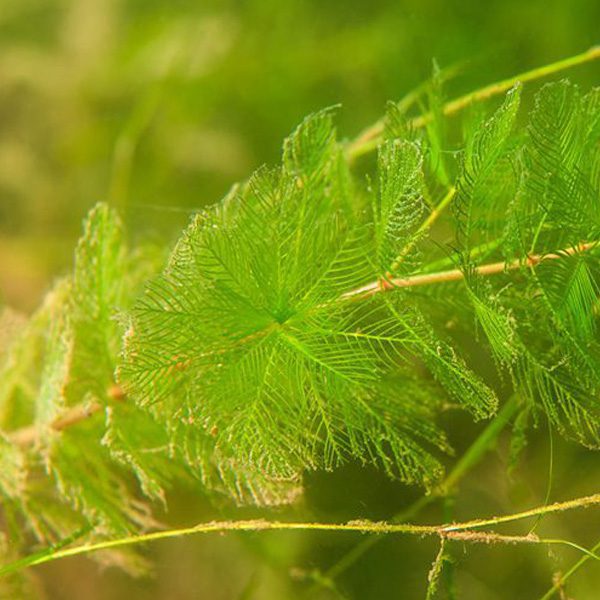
247	327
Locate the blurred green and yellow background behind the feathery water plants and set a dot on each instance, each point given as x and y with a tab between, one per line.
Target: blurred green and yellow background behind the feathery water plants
159	107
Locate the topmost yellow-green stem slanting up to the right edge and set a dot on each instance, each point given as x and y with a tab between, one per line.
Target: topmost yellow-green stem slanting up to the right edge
369	139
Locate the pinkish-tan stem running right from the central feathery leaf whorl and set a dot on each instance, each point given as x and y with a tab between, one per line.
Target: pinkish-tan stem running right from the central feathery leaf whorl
383	285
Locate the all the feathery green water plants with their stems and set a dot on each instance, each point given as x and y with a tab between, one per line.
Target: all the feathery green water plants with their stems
332	309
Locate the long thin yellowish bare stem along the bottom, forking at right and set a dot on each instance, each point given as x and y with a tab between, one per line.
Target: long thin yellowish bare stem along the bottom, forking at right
451	531
